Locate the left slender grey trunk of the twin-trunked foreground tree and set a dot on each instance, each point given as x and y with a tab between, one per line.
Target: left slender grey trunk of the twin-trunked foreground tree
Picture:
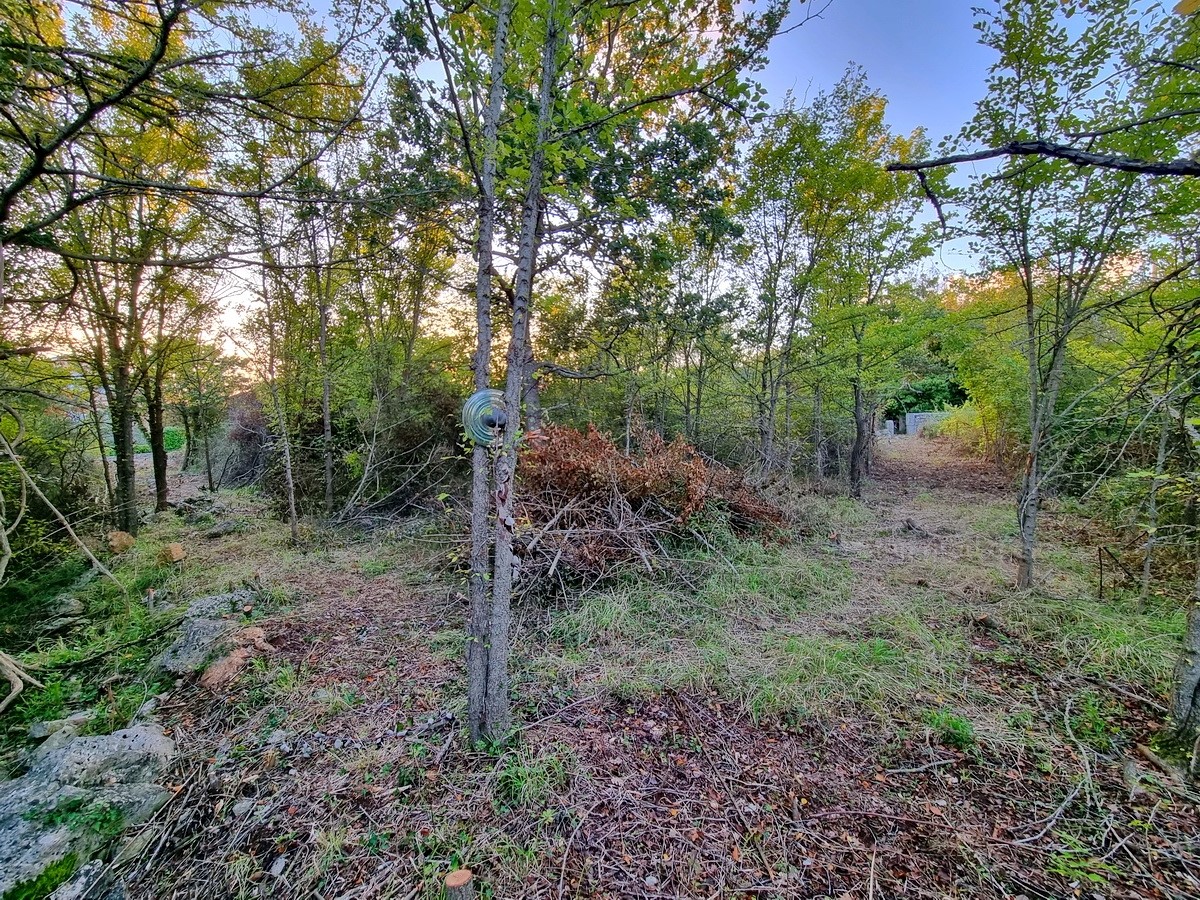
479	615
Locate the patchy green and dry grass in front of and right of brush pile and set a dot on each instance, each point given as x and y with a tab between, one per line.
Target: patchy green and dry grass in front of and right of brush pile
808	631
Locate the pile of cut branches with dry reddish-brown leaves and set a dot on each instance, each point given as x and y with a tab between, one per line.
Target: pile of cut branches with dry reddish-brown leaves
591	509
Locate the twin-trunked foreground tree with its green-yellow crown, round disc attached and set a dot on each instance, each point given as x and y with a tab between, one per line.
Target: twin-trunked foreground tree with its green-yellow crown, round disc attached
577	87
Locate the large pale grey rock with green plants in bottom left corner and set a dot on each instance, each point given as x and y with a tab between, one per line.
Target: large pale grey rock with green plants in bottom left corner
45	815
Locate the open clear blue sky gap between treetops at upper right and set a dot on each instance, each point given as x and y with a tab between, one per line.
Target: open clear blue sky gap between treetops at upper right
923	56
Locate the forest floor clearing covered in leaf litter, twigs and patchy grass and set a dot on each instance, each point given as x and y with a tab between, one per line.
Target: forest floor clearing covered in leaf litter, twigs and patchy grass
868	711
